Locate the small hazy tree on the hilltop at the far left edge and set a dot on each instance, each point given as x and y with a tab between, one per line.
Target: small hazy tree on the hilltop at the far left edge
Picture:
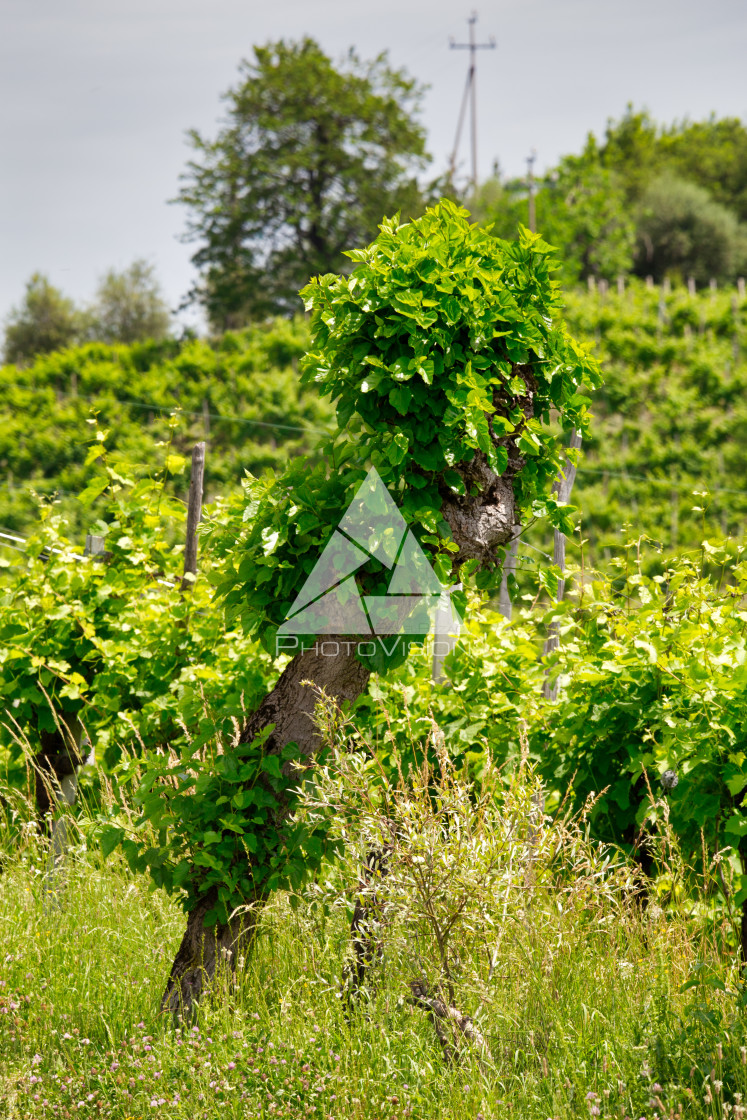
46	321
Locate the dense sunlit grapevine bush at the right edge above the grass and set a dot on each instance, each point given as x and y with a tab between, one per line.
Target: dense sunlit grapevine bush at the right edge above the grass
652	671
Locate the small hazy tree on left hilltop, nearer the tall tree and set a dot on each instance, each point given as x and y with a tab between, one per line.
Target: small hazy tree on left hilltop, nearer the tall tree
129	306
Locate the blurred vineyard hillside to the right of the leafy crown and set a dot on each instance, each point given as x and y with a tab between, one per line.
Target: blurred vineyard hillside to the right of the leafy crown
671	417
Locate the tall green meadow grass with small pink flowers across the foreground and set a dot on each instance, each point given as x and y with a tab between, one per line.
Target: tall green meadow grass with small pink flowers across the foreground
585	1013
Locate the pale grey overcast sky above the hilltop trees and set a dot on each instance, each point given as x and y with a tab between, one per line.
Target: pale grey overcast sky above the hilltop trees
97	96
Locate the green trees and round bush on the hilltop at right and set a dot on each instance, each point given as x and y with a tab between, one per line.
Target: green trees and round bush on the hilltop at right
666	202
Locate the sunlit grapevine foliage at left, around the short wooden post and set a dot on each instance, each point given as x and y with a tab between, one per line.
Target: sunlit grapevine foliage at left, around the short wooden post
109	642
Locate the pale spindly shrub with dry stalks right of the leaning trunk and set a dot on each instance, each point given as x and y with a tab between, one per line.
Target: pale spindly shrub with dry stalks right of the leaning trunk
452	864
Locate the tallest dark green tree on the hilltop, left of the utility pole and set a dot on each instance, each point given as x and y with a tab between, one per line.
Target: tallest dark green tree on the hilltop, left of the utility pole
305	165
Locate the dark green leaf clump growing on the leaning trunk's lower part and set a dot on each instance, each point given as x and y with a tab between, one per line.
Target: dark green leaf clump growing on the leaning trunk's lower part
201	813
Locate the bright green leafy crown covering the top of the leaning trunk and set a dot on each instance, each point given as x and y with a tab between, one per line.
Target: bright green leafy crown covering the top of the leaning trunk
445	349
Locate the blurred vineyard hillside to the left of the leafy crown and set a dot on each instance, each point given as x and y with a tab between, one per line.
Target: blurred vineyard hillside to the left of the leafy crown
239	393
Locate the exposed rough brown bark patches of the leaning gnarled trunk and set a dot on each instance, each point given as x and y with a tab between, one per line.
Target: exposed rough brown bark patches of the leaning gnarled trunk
481	521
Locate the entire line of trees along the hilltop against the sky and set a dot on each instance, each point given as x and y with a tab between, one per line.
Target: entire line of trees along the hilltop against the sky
310	157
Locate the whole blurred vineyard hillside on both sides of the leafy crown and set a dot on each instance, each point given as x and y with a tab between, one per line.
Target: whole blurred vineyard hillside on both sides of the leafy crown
671	417
